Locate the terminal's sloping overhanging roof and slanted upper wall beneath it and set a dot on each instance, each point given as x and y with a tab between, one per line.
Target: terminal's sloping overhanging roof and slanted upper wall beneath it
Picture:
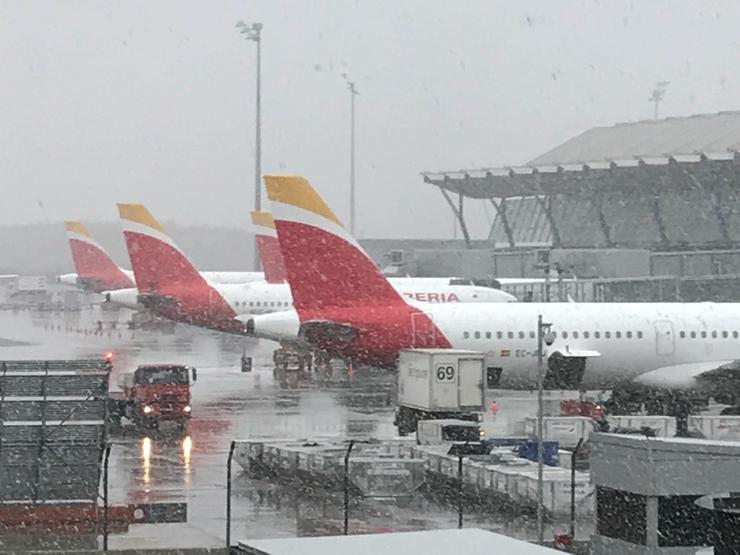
657	184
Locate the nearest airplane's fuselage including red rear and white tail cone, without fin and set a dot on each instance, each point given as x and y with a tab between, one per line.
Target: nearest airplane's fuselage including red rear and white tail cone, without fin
665	344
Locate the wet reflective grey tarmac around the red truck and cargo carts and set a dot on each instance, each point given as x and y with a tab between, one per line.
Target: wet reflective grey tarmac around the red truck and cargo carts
190	467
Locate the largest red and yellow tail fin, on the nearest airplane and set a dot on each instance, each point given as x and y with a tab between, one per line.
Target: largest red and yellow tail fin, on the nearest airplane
325	266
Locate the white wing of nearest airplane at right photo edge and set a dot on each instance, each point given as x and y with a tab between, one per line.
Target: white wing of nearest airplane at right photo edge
710	375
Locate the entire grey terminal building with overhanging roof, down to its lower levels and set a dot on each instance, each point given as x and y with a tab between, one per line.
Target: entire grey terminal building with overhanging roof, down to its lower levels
654	199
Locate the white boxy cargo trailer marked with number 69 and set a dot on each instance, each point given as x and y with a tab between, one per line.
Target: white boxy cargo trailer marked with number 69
439	383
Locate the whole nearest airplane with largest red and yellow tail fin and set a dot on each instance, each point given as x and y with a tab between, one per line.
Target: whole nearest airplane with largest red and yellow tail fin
359	316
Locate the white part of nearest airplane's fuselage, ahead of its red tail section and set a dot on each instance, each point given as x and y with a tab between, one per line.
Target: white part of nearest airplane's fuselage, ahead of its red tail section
625	339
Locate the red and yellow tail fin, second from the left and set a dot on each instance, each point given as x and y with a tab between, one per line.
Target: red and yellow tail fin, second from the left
157	261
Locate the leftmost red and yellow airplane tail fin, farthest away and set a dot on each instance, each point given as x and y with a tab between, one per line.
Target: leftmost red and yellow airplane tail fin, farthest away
94	267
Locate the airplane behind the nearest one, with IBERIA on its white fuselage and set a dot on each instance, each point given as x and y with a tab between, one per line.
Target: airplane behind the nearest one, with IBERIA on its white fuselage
169	284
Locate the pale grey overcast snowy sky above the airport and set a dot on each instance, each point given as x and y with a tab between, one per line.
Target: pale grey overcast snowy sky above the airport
102	101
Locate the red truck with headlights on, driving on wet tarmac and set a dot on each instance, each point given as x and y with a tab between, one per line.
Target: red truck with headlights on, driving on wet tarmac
154	393
